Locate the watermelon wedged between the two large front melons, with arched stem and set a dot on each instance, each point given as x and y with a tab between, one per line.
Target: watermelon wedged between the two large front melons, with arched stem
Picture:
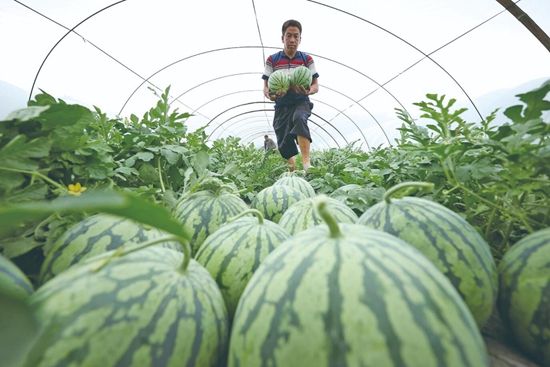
235	250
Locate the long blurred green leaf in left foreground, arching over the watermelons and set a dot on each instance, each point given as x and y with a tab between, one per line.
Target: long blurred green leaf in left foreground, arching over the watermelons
113	202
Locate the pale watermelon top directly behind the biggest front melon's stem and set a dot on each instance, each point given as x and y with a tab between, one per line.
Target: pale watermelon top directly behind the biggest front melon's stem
303	214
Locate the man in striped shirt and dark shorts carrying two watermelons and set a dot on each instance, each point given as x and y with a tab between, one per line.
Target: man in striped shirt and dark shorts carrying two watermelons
292	108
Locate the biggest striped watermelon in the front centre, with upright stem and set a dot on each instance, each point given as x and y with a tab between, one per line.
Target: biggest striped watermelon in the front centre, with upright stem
352	296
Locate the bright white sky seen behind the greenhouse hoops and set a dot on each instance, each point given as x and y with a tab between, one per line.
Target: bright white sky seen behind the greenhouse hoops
372	57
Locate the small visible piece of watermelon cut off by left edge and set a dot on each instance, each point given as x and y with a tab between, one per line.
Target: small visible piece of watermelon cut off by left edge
14	284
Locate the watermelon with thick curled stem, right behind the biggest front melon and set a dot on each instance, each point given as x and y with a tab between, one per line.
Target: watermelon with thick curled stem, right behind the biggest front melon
445	238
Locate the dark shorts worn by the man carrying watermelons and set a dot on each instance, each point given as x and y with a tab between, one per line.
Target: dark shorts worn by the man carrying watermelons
290	122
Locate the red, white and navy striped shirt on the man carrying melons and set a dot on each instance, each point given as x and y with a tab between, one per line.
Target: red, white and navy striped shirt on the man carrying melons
280	61
